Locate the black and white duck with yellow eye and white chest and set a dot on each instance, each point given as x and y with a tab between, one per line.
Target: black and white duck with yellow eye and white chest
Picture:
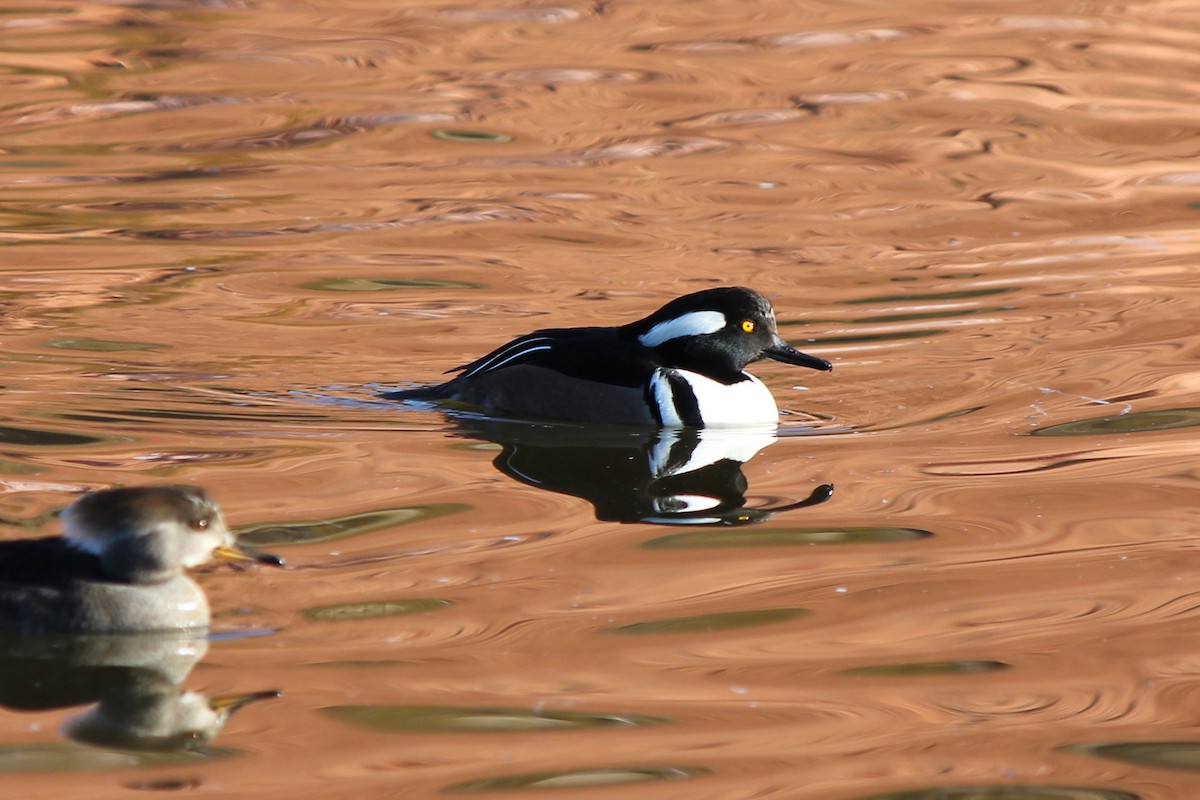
681	366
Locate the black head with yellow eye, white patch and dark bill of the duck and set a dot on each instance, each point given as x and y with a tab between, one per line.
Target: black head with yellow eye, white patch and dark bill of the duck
717	333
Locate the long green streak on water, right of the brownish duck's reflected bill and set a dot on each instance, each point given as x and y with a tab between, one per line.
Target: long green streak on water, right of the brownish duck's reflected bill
406	719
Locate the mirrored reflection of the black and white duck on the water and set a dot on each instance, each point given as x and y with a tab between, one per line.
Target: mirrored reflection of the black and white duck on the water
668	477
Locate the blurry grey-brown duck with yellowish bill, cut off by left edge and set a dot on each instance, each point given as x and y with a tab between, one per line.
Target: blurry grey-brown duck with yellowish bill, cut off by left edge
119	566
